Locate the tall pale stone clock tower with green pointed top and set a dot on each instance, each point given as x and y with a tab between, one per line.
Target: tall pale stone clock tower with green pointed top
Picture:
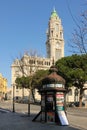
55	40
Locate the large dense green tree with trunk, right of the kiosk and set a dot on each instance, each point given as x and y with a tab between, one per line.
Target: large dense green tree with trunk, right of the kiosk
74	71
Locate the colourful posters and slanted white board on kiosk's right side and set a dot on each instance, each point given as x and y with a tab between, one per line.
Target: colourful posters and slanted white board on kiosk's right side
60	108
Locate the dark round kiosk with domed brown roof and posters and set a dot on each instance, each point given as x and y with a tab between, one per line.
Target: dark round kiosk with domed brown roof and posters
53	99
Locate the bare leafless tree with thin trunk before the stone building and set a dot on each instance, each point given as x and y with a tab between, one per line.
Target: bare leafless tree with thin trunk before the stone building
26	67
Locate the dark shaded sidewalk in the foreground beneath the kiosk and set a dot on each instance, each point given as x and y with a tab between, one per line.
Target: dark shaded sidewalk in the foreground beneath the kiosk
15	121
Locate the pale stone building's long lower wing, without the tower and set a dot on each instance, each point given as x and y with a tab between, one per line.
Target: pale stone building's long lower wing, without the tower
31	64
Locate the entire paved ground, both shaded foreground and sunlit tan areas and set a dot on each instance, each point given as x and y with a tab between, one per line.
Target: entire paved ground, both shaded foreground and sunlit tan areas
20	121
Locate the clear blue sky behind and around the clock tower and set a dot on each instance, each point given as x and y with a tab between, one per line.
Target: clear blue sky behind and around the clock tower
23	25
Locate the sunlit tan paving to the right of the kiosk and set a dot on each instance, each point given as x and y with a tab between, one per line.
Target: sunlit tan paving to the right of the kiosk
78	117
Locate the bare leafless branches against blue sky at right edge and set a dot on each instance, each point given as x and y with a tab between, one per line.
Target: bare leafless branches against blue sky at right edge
79	35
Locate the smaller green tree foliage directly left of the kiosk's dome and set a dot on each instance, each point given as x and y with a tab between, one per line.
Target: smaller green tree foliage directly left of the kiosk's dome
33	81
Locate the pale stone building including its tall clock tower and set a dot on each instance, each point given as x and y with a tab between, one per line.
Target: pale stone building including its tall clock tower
54	48
